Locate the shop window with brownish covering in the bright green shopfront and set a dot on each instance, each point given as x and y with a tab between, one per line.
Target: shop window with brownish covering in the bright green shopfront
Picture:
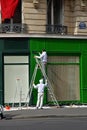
63	72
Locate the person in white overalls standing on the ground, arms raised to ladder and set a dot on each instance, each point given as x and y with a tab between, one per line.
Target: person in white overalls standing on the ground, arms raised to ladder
40	97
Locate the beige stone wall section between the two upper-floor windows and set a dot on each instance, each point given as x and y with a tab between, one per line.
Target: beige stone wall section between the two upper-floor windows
35	18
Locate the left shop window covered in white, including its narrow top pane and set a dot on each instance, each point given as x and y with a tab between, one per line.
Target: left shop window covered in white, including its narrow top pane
16	79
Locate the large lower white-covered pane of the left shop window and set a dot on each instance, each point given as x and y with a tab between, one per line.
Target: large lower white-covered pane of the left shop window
16	83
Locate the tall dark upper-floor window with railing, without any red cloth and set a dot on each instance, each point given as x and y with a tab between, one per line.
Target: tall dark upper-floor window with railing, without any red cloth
55	22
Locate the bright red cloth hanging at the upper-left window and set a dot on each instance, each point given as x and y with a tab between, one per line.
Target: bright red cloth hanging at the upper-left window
8	8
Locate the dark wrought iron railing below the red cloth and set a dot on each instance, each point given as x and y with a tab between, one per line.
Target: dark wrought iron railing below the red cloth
17	28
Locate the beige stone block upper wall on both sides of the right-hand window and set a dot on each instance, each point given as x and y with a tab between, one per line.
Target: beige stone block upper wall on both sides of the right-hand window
36	18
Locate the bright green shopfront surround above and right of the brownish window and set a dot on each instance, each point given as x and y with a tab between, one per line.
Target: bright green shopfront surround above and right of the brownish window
65	46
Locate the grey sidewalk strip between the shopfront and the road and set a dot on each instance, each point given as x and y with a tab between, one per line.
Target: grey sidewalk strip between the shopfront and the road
31	112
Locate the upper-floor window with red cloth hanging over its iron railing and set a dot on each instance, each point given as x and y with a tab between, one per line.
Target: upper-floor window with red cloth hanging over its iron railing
11	18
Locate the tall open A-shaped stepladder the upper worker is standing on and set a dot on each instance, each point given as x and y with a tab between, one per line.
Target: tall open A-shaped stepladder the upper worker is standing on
50	89
